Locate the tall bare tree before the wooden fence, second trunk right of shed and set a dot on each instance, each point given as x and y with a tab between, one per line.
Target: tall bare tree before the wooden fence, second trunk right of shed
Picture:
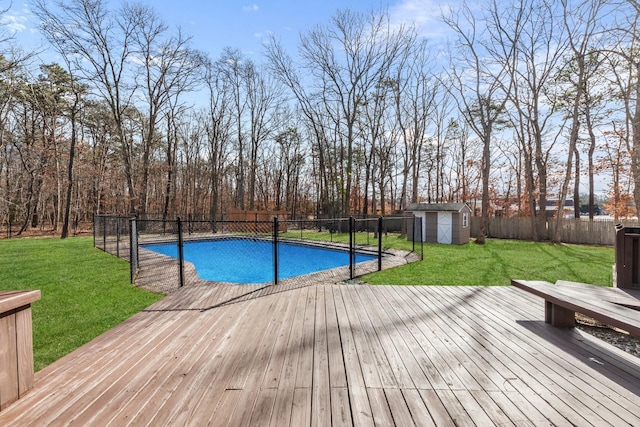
535	53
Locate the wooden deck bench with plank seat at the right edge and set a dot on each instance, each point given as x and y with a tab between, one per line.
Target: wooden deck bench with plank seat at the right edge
612	306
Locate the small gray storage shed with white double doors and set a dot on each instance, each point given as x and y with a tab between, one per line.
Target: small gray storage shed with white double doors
447	223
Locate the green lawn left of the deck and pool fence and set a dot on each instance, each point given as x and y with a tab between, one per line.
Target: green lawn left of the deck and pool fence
84	291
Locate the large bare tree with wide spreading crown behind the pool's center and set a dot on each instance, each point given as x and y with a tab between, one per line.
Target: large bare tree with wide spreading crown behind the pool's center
343	63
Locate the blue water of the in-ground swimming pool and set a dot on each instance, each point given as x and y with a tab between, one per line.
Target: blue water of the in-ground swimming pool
251	261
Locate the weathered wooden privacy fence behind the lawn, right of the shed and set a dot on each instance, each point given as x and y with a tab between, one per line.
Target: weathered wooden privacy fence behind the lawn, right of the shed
578	231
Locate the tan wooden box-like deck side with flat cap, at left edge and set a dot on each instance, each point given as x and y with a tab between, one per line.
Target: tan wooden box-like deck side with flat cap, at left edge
16	345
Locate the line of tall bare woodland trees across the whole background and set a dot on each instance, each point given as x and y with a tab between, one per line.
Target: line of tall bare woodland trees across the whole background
524	102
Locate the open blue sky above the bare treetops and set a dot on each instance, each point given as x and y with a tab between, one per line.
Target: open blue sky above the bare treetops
216	24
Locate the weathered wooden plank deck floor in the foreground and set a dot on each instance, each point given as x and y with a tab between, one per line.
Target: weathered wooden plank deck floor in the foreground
337	354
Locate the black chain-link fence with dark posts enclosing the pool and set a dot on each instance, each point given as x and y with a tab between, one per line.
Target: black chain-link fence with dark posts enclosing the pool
163	253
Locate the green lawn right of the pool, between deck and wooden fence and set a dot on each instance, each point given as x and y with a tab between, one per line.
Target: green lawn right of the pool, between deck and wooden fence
498	261
